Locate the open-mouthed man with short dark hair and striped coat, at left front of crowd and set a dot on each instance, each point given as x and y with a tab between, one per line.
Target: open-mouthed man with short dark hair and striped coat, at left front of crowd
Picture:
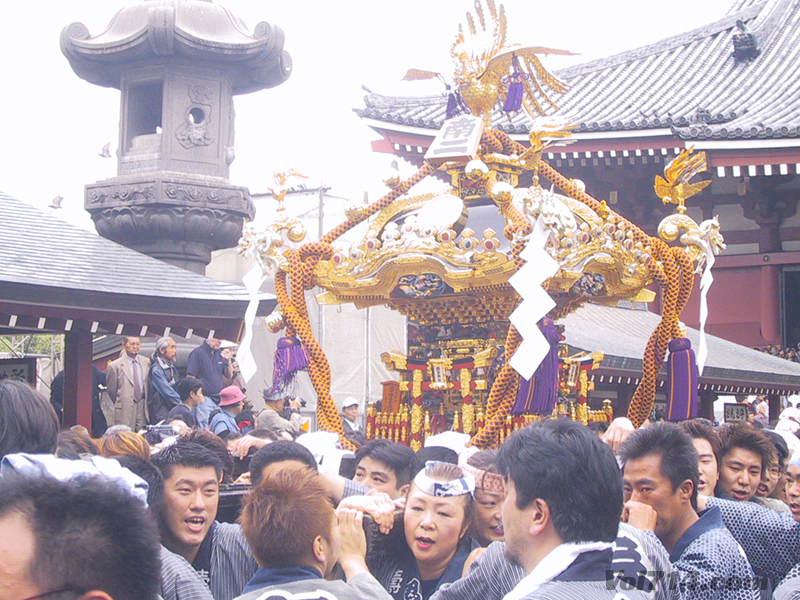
217	551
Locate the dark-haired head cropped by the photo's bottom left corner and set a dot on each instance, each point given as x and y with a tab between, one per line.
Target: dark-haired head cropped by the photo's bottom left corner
87	537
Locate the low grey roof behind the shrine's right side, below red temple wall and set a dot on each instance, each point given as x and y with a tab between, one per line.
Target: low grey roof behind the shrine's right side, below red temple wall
622	335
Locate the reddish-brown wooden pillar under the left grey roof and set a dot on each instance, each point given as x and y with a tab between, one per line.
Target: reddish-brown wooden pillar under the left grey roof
78	378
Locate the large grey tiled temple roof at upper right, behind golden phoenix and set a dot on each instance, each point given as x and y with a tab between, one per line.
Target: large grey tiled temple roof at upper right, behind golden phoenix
690	84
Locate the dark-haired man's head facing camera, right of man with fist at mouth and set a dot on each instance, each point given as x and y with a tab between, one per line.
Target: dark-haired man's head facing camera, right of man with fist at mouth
745	453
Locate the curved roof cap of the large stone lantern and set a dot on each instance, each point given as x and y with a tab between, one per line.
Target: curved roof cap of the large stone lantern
198	31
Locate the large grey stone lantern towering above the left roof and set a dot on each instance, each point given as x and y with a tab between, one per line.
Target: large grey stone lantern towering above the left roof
177	64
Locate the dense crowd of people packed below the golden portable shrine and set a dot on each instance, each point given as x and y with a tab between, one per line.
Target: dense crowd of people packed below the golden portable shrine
560	510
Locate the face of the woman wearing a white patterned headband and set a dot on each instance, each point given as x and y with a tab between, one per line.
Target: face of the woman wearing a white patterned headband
433	525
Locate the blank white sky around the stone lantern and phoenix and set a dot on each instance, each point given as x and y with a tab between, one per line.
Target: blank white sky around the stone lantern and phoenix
54	124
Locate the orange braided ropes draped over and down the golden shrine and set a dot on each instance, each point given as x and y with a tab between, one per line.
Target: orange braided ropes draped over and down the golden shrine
670	269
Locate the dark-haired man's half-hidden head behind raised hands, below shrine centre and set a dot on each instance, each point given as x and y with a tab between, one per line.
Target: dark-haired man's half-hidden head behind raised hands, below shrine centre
386	466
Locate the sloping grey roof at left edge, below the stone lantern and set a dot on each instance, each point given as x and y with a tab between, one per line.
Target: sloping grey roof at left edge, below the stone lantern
53	273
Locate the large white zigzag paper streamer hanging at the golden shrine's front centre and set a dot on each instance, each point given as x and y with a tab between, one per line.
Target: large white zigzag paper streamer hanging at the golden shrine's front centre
536	302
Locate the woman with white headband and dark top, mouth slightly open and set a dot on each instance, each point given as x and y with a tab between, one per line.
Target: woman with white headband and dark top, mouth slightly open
437	514
